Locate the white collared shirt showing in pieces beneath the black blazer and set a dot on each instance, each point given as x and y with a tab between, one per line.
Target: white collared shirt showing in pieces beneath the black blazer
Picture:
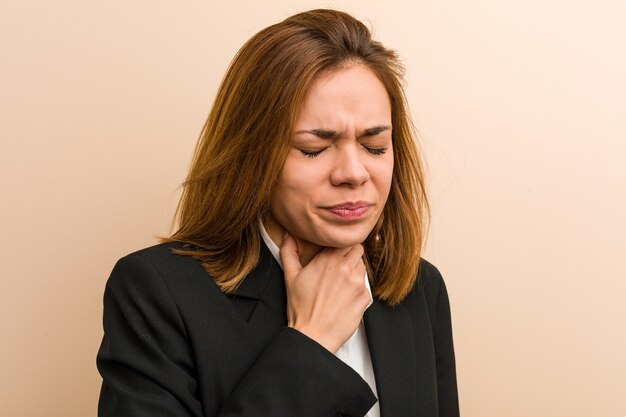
355	352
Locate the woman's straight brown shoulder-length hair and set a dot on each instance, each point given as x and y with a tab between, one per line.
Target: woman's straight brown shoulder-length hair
248	133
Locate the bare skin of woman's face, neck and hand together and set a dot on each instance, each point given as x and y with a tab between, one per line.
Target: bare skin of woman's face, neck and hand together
341	152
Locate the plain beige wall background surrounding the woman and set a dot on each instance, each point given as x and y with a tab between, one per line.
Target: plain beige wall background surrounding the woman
520	105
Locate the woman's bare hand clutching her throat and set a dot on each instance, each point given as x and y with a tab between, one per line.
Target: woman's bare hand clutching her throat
327	298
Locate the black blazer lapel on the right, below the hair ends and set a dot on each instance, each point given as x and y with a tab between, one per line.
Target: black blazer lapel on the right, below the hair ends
390	338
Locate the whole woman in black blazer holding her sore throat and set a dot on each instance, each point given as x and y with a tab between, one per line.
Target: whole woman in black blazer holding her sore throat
293	285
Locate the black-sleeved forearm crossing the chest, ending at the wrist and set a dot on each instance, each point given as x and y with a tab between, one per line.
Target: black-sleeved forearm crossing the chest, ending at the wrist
296	376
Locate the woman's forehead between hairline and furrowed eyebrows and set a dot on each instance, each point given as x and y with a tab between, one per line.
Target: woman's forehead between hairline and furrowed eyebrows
352	94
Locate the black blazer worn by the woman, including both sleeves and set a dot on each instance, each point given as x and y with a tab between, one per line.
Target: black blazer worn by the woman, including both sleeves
175	345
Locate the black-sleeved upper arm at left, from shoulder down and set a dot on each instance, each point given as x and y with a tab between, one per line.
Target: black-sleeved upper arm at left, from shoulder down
144	359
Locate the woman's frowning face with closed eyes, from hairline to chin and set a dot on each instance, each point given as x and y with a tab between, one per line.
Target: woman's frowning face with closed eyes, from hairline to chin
337	175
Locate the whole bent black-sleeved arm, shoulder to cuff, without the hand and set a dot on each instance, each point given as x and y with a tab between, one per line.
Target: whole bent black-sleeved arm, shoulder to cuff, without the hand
148	368
